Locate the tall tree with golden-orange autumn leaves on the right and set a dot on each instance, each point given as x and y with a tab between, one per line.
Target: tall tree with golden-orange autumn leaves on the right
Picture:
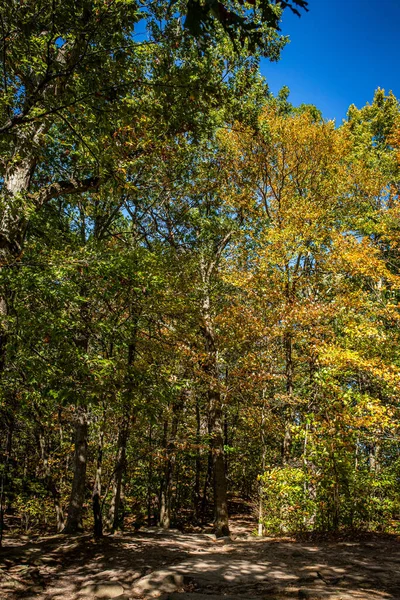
306	273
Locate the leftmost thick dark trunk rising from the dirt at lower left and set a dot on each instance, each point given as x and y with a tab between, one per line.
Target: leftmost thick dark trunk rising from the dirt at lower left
74	519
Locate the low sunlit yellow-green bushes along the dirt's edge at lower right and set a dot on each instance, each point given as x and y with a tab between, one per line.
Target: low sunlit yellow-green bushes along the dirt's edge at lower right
329	497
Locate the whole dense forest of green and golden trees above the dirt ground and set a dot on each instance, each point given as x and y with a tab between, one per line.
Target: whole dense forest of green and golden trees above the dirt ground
199	281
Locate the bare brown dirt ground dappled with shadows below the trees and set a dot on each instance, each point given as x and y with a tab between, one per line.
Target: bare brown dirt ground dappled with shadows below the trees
195	566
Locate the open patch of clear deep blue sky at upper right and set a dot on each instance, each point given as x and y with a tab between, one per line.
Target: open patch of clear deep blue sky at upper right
339	53
